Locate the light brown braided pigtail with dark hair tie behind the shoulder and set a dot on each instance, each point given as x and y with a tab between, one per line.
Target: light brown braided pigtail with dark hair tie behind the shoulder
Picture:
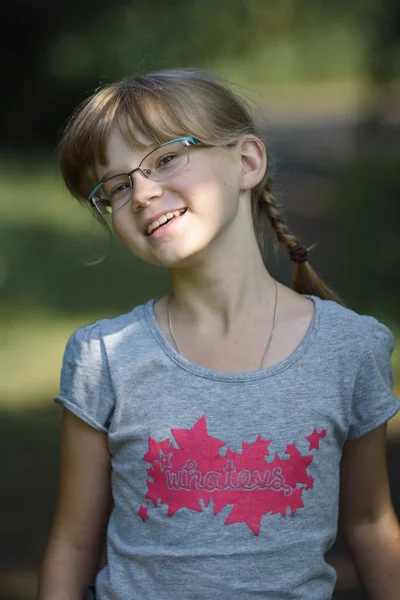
305	280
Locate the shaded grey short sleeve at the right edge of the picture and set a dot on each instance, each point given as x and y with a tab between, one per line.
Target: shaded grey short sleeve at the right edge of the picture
373	401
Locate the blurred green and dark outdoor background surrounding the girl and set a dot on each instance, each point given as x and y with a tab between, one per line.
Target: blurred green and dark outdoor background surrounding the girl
324	81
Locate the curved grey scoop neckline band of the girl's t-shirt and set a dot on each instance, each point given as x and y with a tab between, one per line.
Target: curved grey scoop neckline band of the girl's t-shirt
182	362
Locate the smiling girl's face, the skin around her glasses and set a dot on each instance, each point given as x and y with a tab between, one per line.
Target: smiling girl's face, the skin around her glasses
207	189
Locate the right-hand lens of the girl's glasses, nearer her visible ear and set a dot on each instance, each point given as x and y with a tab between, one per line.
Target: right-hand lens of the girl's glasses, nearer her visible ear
165	161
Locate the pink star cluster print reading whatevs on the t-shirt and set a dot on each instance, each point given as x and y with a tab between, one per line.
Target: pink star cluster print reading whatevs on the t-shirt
199	461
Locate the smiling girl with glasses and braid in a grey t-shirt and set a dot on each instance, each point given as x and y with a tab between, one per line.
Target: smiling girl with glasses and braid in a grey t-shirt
209	432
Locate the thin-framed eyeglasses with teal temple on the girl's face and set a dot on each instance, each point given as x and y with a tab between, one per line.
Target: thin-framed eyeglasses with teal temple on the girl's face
163	162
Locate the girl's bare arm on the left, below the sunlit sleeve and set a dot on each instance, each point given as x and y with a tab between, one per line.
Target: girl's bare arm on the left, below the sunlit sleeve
82	511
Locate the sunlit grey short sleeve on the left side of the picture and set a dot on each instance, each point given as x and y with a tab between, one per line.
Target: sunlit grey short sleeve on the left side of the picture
85	386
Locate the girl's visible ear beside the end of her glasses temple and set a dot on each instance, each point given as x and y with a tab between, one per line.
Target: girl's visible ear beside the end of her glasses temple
253	158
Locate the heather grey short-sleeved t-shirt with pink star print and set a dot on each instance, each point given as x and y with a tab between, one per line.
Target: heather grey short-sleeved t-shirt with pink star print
225	485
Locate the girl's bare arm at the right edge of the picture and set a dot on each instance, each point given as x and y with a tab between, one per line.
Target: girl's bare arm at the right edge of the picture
366	516
